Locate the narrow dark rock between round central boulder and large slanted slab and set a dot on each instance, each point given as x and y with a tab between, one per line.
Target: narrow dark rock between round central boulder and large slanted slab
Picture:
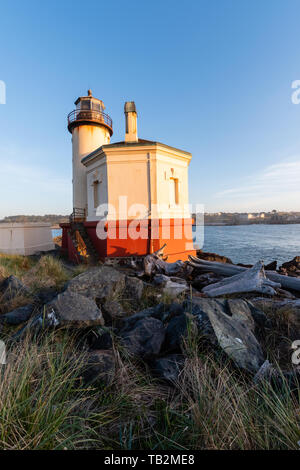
177	331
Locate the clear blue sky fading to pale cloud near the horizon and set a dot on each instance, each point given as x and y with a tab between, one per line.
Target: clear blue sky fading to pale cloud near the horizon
209	76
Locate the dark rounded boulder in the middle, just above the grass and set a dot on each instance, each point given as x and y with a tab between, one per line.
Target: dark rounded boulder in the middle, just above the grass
145	339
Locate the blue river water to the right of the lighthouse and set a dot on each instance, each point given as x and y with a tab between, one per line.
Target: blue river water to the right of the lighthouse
248	243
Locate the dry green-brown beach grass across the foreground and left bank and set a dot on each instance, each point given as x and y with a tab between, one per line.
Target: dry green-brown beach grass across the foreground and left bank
44	403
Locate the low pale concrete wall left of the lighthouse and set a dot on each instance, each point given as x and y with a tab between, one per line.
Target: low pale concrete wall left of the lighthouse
25	238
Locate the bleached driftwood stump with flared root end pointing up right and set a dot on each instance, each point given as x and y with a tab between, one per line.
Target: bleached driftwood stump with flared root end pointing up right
251	280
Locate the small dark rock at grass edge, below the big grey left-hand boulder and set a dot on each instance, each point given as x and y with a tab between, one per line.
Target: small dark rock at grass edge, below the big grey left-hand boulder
100	368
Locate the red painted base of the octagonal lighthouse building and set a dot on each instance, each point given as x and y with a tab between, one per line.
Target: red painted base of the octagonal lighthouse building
135	238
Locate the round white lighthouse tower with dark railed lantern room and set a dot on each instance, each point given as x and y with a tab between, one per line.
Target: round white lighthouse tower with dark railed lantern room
90	128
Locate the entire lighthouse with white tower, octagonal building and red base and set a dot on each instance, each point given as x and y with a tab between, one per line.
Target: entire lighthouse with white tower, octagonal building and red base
129	197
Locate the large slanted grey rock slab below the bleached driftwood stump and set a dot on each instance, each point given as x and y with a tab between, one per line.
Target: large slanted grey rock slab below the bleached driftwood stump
233	326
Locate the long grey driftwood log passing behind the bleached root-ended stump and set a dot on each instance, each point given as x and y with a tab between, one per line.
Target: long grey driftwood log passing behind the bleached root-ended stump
223	269
